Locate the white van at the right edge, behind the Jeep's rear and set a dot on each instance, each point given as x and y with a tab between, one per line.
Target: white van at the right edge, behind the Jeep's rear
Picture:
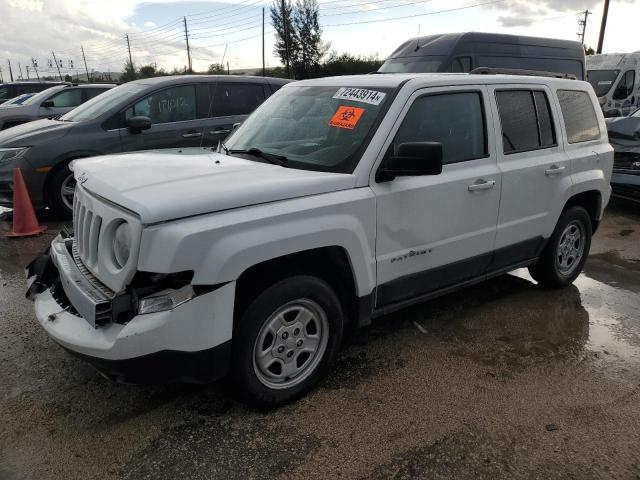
614	77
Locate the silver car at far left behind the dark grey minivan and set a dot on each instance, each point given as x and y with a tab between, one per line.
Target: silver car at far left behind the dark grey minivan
51	102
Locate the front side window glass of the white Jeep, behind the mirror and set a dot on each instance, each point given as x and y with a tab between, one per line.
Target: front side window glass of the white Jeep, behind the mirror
456	120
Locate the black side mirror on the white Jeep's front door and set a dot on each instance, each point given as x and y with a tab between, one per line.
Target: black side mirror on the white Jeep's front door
412	159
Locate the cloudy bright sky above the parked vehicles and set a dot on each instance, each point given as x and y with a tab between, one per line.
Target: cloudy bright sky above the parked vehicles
33	29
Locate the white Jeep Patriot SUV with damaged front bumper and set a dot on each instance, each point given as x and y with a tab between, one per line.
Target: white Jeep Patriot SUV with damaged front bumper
338	200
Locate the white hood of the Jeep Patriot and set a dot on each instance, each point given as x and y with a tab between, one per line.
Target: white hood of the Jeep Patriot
170	184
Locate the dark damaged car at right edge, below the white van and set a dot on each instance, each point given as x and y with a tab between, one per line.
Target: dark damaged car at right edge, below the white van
624	136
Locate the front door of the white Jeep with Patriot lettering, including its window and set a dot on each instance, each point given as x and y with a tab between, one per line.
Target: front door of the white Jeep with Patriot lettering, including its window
436	231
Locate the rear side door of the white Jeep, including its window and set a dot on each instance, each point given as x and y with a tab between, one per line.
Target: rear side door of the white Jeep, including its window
535	170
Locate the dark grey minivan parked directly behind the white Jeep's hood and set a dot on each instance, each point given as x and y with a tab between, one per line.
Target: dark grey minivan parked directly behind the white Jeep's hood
161	112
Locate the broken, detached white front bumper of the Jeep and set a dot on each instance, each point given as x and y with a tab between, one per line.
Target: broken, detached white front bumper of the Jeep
191	342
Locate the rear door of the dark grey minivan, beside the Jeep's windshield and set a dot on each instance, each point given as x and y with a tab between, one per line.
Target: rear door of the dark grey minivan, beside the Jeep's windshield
232	103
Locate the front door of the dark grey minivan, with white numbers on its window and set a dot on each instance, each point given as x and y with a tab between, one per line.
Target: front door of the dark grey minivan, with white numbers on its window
174	116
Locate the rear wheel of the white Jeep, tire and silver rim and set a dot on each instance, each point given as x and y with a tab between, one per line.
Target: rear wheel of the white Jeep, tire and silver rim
566	252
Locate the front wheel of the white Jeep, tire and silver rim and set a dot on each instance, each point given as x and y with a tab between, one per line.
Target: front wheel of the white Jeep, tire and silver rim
276	359
